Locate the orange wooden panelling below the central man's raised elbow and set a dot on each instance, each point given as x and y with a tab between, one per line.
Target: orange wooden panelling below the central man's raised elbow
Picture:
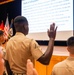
46	70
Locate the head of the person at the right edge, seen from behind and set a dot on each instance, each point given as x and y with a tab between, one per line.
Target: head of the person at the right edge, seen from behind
70	44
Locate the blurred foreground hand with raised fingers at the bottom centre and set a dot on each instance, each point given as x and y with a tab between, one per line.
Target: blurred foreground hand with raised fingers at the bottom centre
30	69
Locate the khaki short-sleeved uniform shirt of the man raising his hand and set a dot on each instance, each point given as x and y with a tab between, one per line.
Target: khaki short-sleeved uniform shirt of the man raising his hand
20	48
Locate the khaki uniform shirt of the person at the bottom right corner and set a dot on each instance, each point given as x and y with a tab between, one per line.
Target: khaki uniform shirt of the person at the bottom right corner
65	67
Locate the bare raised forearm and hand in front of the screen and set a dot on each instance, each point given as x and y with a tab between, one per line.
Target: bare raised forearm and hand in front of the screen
45	58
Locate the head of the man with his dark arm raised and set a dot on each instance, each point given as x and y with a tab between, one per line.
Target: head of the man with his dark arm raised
19	23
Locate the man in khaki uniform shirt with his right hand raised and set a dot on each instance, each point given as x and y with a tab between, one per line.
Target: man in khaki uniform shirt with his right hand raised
19	48
